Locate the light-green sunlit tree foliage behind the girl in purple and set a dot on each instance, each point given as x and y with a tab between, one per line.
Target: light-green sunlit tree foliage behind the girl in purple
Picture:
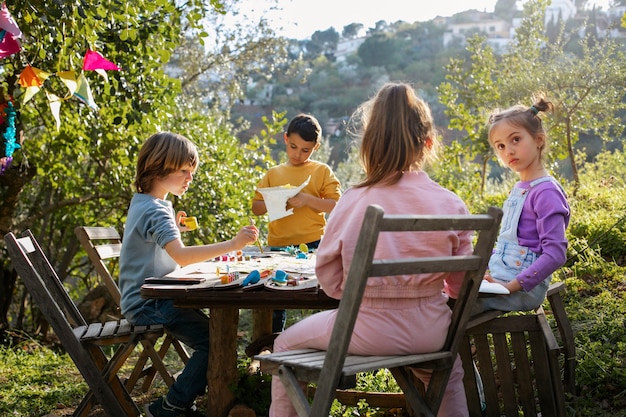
586	88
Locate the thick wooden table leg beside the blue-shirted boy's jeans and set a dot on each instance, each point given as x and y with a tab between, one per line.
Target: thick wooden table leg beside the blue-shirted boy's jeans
222	369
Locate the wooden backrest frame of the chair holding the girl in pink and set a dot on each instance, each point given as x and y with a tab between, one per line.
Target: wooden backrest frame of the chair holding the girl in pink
364	266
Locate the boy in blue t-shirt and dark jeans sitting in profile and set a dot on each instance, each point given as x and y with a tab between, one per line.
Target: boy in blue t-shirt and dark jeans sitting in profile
152	247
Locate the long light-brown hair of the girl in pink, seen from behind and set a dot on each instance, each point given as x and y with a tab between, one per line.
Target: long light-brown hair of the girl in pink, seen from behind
398	134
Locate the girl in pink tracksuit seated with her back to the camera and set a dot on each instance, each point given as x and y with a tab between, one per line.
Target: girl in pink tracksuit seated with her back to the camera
399	315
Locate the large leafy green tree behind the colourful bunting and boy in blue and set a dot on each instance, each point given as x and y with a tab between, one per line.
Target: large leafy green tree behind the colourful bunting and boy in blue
81	173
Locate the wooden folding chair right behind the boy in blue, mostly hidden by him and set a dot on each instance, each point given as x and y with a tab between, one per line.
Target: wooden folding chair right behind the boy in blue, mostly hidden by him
104	244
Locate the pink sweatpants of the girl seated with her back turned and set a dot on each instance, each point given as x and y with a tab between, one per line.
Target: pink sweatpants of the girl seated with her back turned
383	327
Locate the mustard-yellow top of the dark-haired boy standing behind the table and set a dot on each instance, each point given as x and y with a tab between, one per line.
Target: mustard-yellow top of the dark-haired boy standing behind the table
305	224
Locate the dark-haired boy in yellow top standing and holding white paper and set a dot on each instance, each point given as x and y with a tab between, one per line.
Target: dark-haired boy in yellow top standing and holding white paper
310	205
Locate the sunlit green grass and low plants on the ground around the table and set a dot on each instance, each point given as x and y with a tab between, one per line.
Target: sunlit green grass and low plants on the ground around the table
38	380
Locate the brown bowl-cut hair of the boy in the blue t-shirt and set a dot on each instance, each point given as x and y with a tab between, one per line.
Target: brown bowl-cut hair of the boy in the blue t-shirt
162	154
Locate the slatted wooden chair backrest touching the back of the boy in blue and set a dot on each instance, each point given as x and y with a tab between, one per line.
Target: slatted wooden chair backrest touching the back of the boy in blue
102	243
